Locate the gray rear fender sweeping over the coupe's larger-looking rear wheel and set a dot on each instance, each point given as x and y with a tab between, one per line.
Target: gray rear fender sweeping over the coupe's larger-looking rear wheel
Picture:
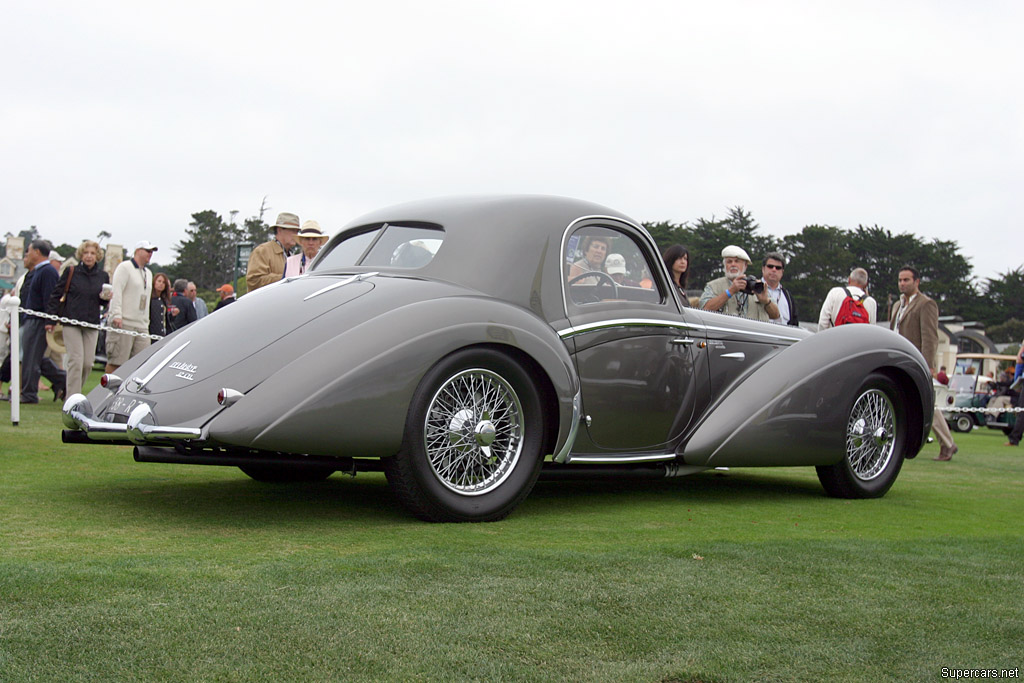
351	395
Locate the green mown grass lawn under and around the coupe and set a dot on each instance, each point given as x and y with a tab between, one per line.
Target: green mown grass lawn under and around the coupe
116	571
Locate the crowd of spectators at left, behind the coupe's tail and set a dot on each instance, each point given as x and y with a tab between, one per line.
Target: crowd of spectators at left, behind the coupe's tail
136	305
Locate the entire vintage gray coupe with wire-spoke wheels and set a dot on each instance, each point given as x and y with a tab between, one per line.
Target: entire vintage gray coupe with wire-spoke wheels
464	348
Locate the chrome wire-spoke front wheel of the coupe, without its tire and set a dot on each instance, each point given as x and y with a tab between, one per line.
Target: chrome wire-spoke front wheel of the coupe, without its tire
871	435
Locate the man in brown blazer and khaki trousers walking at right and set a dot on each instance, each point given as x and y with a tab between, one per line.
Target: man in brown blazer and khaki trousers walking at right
917	319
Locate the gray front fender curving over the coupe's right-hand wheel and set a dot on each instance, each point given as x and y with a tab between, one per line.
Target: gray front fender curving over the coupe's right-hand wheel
794	409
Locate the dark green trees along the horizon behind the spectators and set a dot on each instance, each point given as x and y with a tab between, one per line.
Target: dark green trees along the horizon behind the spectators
819	258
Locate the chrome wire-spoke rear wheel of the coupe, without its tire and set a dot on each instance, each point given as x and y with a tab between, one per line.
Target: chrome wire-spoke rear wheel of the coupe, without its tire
474	432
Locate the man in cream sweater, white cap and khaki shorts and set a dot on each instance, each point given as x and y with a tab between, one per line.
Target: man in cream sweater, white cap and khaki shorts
133	284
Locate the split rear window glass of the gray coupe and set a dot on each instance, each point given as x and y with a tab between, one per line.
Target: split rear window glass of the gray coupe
385	246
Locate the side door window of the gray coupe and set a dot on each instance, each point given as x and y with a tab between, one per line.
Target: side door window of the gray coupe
605	265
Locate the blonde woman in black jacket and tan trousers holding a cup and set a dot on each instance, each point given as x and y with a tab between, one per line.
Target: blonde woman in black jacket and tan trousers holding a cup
81	287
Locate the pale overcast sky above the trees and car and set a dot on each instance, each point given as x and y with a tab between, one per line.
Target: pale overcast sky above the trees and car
129	117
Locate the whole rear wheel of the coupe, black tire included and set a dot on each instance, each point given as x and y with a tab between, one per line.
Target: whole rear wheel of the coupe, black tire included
475	440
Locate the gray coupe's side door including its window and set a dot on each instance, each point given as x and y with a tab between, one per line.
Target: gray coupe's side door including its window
633	347
